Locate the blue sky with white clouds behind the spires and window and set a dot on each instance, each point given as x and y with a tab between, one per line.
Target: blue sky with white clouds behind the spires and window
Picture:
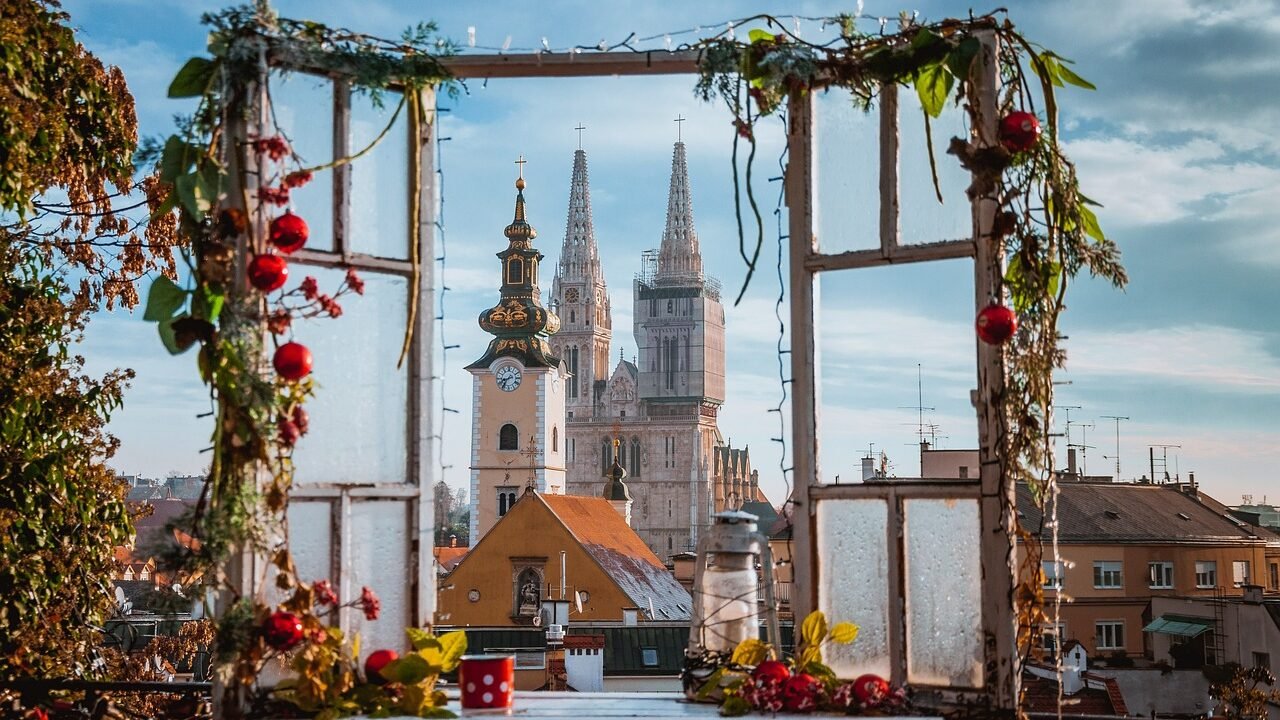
1178	144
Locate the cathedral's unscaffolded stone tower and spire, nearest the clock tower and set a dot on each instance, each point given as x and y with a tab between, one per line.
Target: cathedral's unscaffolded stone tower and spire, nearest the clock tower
583	303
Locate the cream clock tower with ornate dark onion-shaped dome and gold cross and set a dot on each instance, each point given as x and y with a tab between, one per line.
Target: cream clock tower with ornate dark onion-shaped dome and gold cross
518	389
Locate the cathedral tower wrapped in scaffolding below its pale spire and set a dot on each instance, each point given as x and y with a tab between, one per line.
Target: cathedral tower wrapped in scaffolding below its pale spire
679	318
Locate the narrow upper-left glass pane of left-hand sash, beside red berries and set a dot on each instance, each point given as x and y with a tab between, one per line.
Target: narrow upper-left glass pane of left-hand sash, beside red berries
304	111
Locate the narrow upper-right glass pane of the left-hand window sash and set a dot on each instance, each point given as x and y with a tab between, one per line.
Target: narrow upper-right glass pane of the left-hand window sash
380	181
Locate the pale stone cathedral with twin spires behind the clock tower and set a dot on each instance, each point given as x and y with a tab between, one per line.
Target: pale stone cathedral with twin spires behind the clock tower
662	408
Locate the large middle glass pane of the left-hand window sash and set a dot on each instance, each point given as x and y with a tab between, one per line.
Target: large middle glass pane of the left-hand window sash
360	411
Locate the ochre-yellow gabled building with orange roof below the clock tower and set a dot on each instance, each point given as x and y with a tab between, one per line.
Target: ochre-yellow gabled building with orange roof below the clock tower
607	568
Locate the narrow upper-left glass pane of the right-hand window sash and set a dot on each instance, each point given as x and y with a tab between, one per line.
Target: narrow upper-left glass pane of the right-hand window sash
847	168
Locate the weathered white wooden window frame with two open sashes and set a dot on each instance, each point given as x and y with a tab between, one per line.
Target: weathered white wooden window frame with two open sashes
993	490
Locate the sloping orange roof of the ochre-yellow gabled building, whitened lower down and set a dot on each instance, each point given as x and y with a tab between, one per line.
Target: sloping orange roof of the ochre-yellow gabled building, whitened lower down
621	554
